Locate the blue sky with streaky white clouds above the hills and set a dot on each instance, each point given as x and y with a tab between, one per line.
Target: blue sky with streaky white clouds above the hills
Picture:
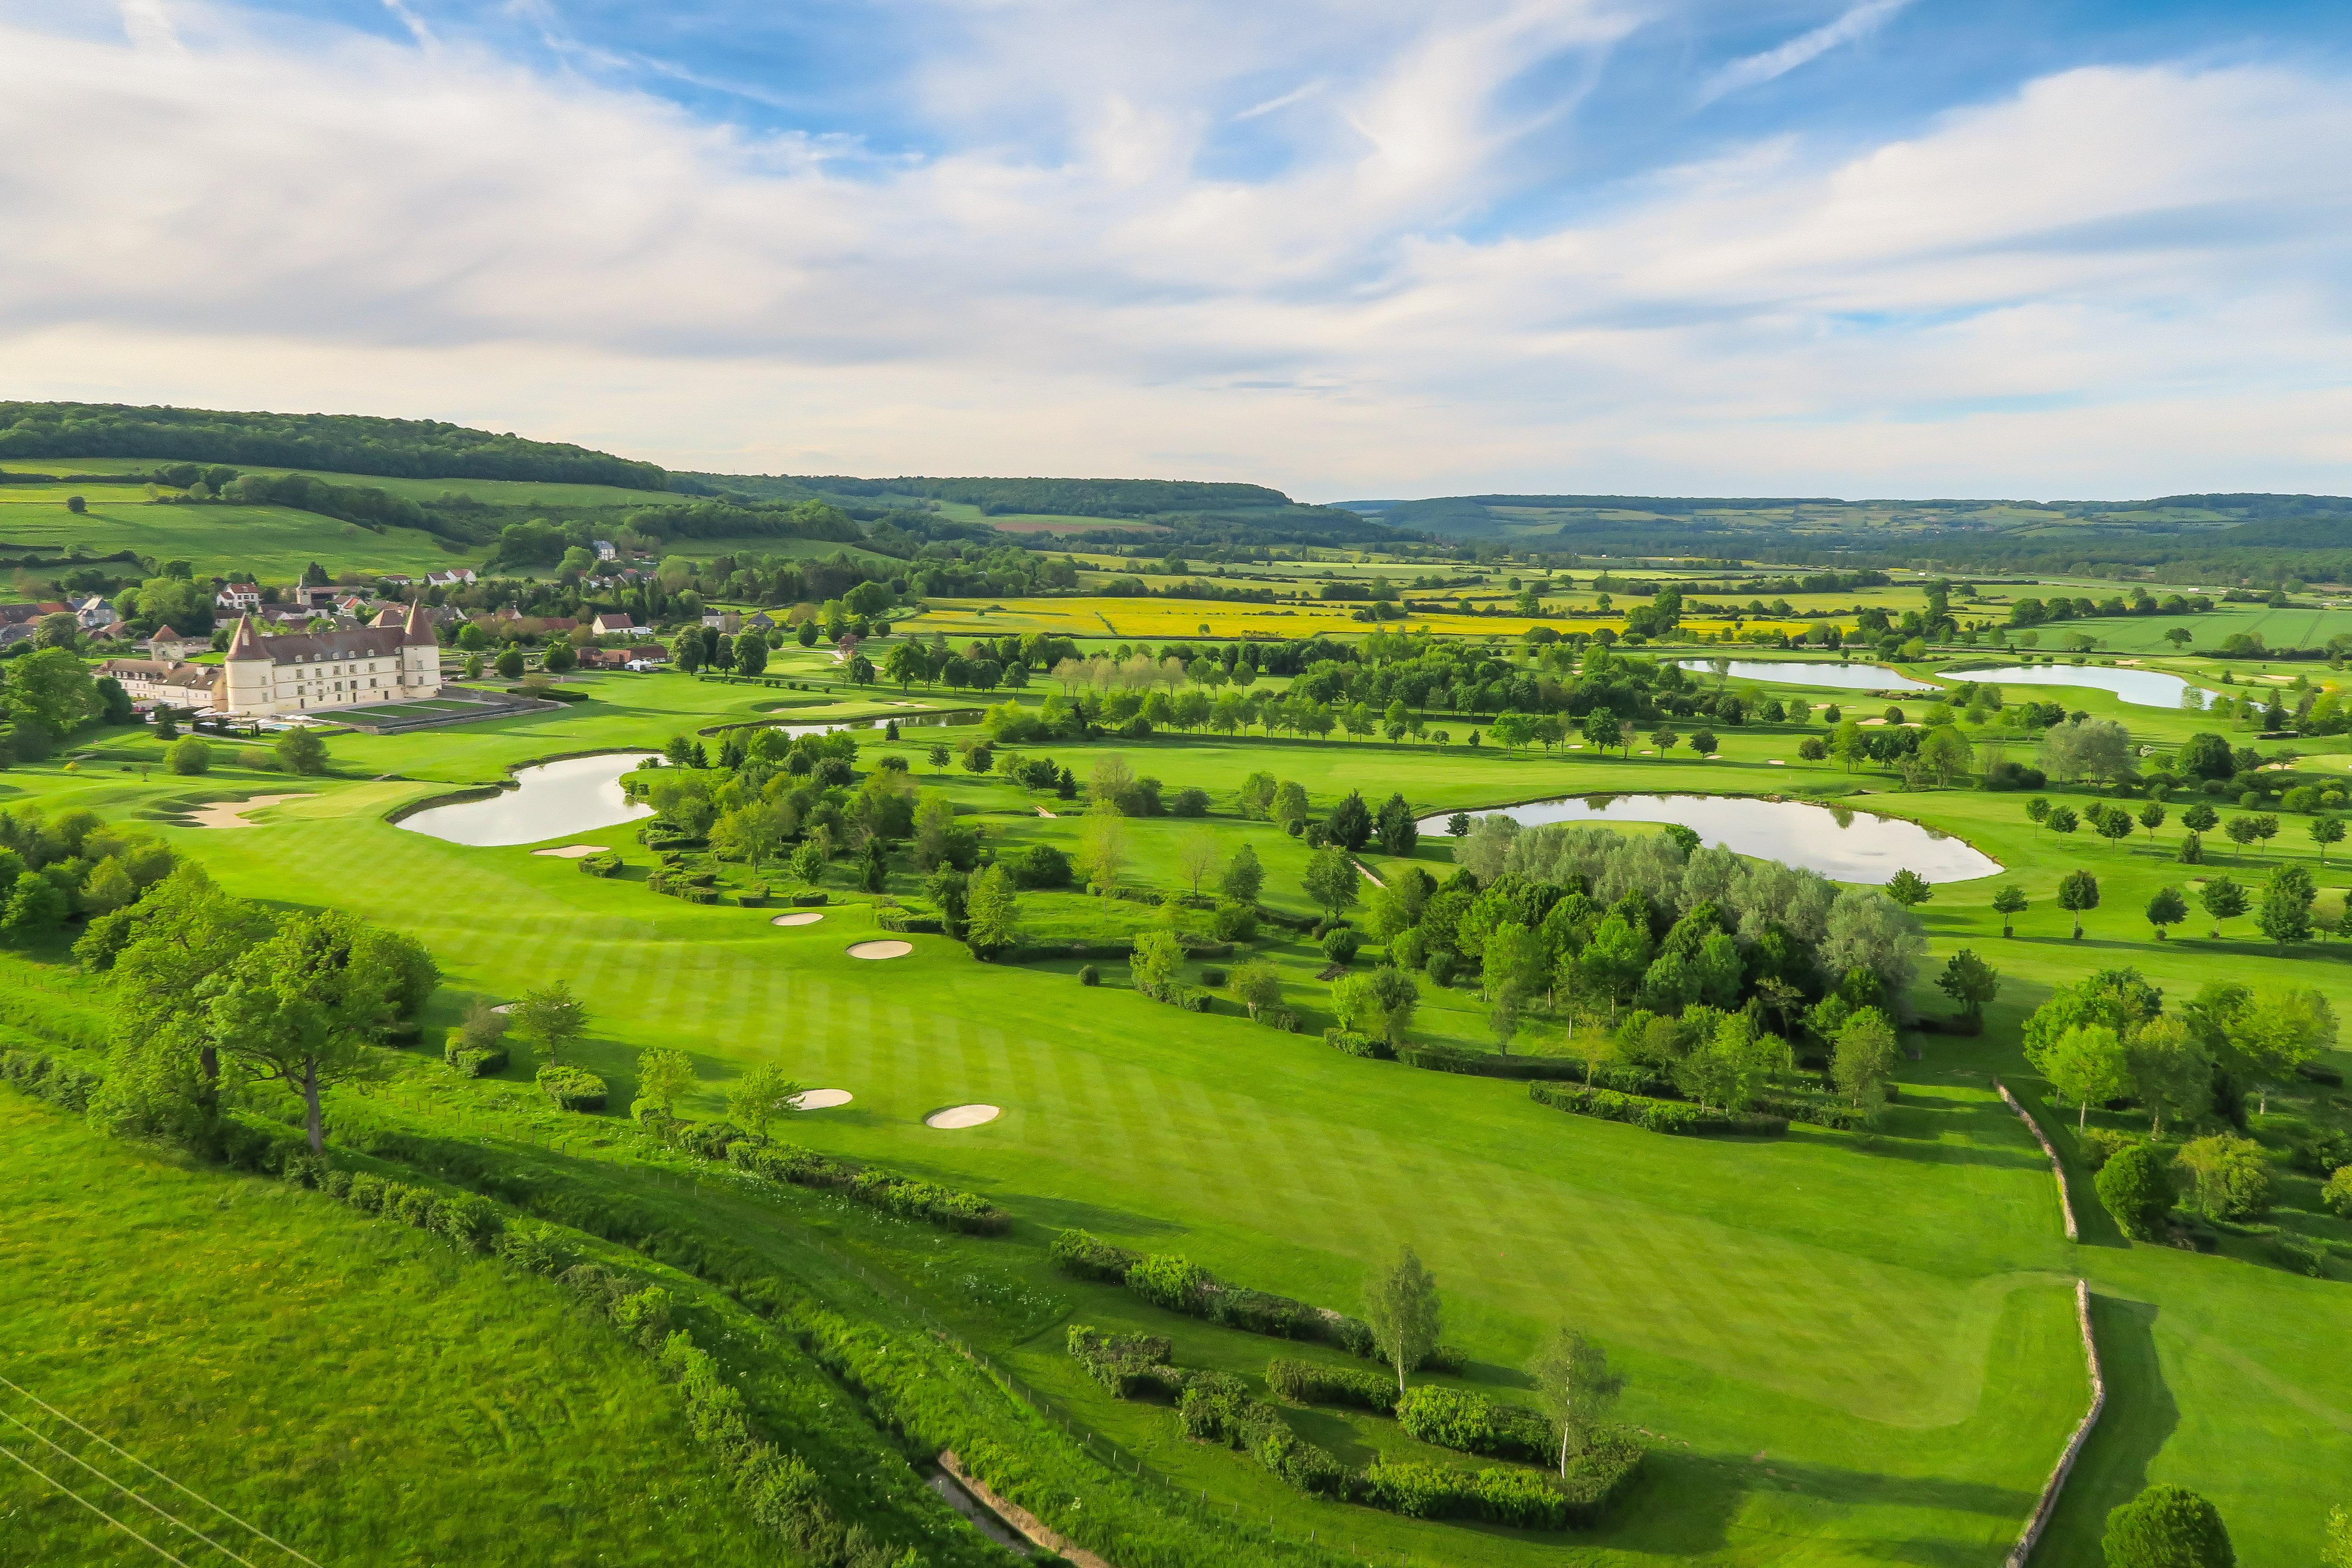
1847	248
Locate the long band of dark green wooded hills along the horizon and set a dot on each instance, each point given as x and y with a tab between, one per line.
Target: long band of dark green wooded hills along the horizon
2181	537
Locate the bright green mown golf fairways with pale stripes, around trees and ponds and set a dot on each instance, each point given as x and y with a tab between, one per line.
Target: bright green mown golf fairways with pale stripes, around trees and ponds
1869	1348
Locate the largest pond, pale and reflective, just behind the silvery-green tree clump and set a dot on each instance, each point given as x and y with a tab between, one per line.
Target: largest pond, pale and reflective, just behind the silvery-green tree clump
1831	840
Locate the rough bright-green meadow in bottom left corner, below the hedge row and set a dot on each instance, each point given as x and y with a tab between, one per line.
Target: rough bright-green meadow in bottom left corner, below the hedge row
349	1386
